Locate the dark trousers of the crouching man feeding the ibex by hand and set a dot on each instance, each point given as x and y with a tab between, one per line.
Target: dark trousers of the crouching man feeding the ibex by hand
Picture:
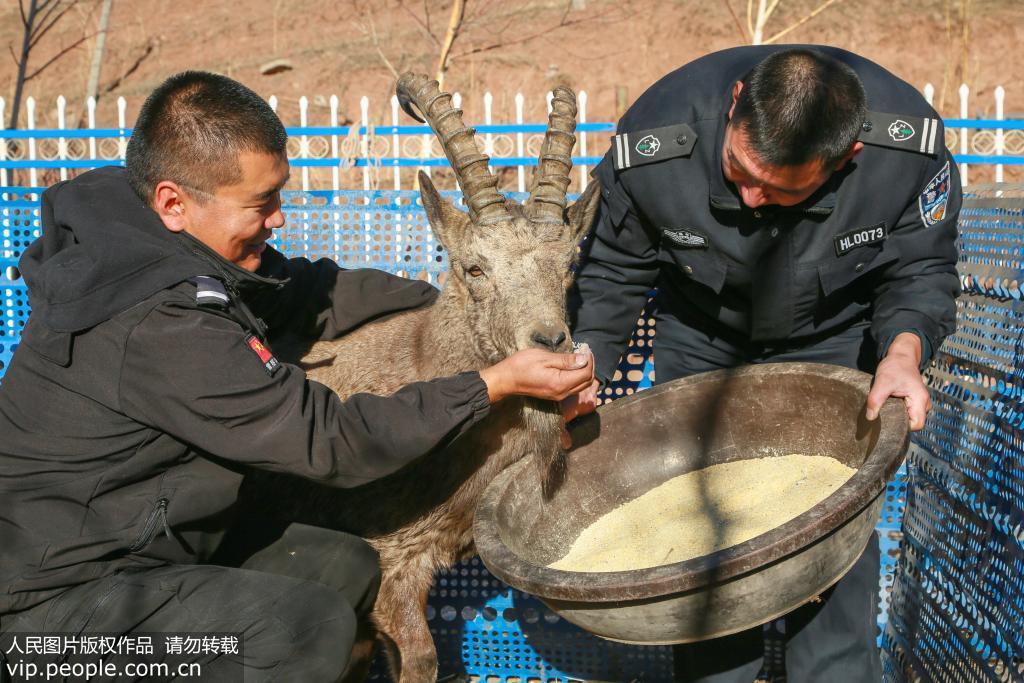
294	594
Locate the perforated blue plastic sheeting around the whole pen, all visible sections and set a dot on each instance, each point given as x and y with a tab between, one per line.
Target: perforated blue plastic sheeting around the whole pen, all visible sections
955	585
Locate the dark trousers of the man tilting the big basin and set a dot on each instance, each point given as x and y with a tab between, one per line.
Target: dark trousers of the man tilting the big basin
831	641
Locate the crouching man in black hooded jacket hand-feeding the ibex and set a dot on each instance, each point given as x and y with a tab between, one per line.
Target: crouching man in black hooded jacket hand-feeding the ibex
144	389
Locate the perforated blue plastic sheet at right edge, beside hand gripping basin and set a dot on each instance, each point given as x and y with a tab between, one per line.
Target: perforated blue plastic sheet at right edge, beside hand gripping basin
958	601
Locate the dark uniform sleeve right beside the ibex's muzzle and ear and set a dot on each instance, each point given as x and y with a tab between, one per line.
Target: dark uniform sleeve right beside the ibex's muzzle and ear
620	267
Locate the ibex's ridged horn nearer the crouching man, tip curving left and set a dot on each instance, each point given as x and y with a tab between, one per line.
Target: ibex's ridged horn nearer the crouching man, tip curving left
480	187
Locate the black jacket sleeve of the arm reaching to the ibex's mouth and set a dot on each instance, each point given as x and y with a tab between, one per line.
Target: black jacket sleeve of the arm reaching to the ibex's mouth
192	374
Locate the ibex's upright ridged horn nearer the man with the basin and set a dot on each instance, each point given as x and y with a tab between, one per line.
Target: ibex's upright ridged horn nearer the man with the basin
551	180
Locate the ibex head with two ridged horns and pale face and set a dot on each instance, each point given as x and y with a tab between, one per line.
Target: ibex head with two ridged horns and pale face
509	263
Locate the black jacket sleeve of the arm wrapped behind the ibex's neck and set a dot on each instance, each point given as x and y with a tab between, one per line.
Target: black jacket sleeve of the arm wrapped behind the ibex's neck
323	301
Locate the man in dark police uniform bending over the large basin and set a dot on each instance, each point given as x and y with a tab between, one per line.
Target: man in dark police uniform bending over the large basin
790	204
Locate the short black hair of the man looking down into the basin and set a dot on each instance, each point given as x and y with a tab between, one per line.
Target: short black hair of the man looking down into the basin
799	106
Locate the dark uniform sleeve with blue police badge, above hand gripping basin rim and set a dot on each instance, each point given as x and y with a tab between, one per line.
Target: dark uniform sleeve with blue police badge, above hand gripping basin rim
919	292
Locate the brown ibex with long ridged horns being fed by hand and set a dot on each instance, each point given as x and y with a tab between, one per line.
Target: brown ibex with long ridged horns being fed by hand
505	291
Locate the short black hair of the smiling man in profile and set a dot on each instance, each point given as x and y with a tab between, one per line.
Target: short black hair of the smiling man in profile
192	130
